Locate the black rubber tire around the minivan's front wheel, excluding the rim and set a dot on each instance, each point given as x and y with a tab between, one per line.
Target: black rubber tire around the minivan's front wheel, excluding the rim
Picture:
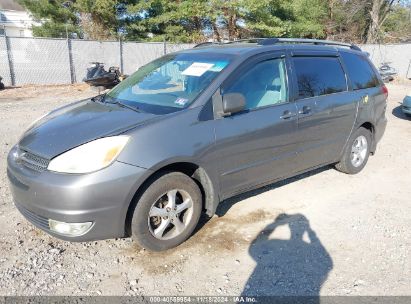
159	188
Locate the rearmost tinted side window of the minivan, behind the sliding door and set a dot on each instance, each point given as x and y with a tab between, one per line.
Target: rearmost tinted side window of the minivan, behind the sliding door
359	71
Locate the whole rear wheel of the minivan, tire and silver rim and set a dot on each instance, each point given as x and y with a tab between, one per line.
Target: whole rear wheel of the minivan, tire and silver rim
356	153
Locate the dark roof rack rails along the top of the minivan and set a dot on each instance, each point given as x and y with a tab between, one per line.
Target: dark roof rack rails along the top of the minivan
270	41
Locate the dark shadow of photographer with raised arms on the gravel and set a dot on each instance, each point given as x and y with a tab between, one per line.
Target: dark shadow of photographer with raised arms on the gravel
296	267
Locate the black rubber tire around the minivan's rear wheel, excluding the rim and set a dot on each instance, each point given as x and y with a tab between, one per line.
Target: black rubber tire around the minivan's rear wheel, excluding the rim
346	165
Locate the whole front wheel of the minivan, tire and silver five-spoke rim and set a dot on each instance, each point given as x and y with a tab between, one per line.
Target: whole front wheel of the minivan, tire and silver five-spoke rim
167	212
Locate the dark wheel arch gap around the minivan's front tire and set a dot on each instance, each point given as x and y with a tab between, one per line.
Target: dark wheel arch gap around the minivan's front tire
195	171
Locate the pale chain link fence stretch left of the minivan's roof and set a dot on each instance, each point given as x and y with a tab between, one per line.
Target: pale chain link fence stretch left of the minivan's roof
61	61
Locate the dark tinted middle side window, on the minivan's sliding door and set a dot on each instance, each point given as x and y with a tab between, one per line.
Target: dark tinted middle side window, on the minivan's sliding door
318	76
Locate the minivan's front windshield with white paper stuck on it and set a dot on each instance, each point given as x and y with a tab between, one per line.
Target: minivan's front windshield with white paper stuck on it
170	83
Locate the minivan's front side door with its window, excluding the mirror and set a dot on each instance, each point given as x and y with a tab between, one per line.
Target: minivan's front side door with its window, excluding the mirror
258	144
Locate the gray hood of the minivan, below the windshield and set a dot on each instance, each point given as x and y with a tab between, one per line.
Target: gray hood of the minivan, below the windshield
76	124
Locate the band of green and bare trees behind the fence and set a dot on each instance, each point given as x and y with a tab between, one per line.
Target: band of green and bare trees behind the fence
200	20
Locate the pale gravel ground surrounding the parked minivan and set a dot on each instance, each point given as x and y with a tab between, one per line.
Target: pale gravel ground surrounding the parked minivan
321	233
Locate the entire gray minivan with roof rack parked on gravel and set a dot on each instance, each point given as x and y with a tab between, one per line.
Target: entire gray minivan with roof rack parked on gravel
192	128
